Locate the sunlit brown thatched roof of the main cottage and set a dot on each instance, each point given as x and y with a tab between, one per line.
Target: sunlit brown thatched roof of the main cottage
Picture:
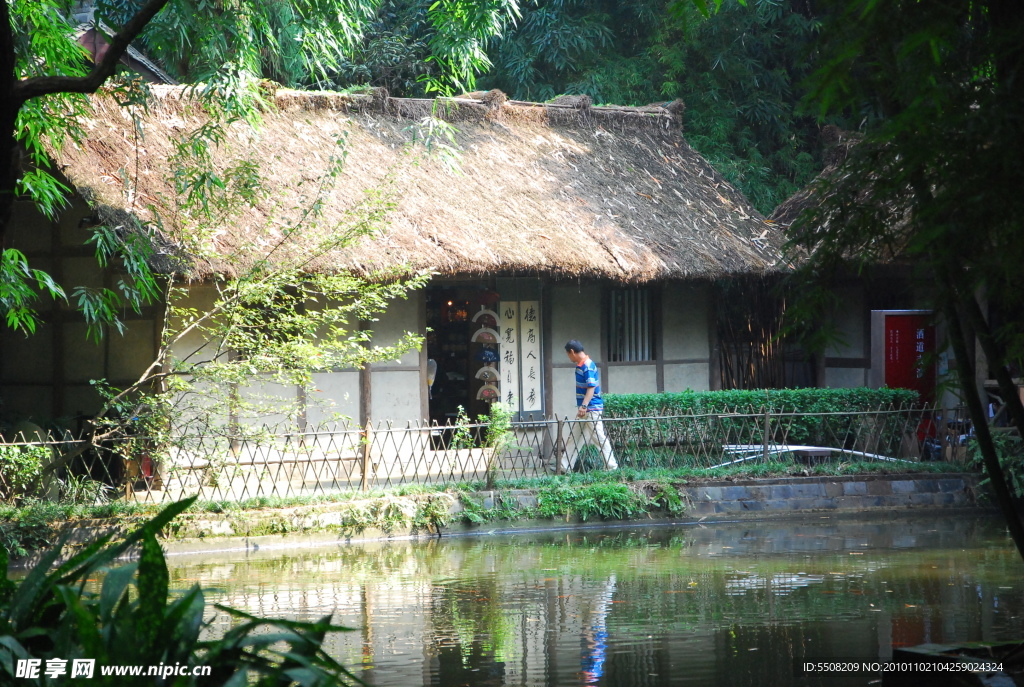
563	190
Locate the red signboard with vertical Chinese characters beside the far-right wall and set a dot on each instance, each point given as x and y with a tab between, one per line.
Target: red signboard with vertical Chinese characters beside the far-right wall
911	354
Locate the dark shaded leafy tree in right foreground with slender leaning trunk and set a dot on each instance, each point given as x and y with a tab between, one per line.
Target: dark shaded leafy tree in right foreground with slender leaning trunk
937	180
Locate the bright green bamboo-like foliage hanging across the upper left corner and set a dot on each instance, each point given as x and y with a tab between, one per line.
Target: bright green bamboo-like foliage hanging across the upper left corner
224	48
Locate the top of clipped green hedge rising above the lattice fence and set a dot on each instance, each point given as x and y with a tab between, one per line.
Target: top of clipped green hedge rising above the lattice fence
776	401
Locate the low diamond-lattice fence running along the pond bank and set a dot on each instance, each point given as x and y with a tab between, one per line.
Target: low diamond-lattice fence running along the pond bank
264	462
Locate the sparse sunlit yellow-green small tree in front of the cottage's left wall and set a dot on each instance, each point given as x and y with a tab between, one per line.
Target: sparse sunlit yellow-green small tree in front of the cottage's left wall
274	320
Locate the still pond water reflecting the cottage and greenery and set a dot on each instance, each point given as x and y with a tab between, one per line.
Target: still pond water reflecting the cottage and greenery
719	605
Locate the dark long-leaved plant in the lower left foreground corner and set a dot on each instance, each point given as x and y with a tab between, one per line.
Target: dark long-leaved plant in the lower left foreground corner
50	615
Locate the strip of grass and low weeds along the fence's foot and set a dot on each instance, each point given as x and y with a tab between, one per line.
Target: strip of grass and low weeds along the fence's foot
612	495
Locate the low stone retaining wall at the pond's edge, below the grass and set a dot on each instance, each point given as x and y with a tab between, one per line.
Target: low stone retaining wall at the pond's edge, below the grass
754	499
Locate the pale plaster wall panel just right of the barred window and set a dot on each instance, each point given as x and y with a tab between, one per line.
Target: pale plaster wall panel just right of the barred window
686	321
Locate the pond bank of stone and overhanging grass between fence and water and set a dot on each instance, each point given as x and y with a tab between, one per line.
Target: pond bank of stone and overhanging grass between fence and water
559	505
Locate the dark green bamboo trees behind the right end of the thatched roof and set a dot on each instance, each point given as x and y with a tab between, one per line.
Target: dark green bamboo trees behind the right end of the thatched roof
738	70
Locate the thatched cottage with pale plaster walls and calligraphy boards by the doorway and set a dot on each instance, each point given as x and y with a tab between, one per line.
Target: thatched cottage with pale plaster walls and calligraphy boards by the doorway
564	222
